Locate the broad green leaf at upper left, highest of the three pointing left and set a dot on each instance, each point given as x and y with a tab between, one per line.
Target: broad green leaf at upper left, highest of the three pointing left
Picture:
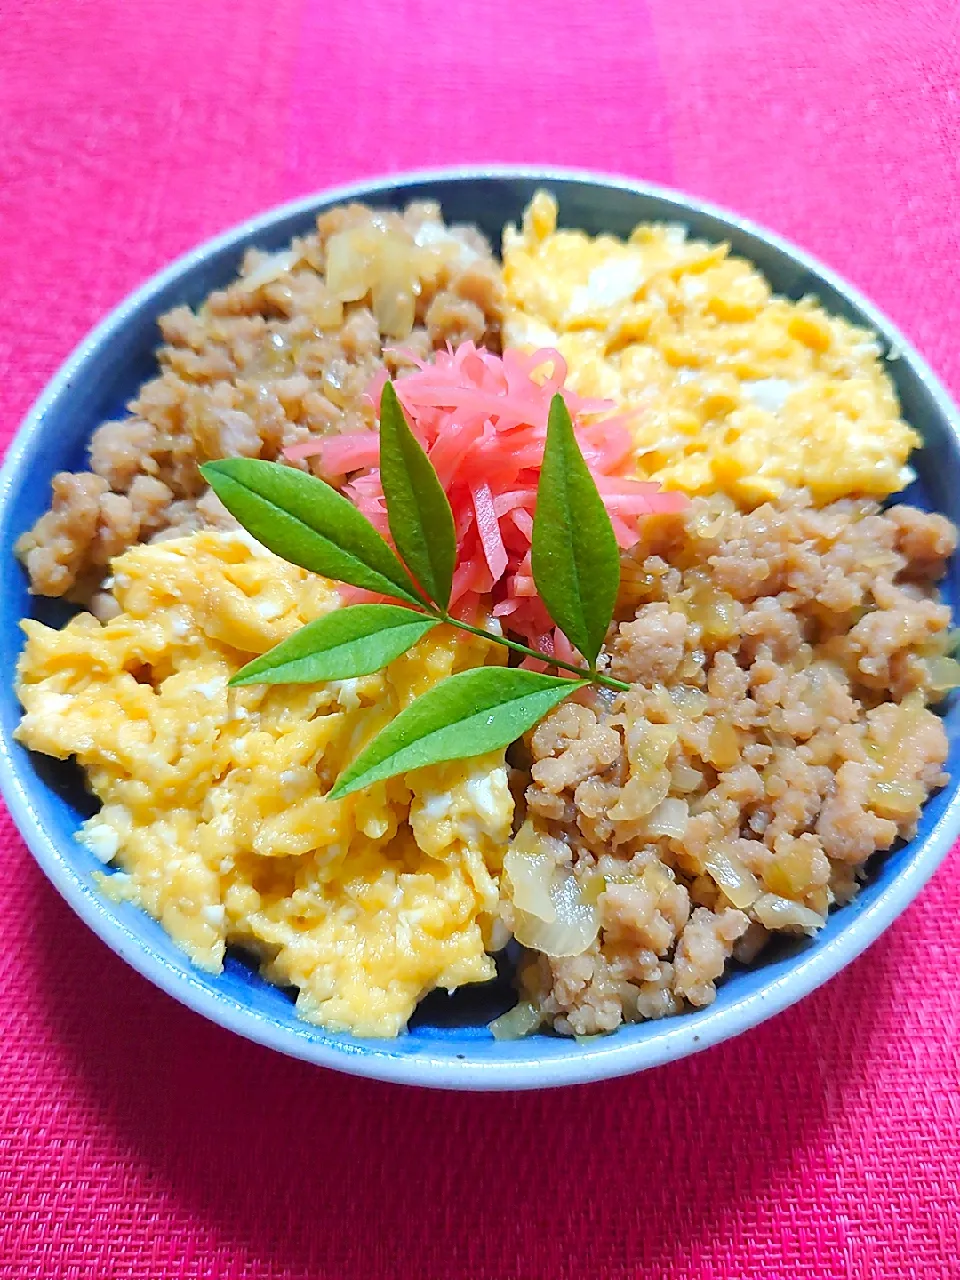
305	522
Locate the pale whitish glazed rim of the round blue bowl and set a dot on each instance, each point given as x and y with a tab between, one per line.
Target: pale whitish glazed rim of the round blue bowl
607	1059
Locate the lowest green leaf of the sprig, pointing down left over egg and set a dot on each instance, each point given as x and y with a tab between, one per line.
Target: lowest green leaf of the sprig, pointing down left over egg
468	715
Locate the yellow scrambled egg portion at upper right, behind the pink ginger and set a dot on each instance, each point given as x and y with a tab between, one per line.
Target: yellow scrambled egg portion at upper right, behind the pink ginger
729	388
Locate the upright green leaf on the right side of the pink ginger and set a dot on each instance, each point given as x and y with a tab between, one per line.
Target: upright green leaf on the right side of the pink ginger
574	556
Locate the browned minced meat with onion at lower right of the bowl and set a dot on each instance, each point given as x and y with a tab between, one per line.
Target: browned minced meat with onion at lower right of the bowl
776	737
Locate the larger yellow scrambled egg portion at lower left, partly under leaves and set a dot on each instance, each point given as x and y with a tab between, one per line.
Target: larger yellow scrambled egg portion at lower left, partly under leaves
214	801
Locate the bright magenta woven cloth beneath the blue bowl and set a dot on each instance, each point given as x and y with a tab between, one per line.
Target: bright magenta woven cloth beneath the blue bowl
138	1141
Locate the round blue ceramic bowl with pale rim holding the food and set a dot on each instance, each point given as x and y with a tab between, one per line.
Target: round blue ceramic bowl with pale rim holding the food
449	1045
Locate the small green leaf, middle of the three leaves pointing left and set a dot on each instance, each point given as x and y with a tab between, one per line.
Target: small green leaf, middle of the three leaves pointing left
344	644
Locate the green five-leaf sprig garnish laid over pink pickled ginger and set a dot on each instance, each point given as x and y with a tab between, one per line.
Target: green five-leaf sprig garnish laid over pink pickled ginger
304	520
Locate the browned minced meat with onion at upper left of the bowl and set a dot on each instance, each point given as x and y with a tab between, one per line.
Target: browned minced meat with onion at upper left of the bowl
282	355
